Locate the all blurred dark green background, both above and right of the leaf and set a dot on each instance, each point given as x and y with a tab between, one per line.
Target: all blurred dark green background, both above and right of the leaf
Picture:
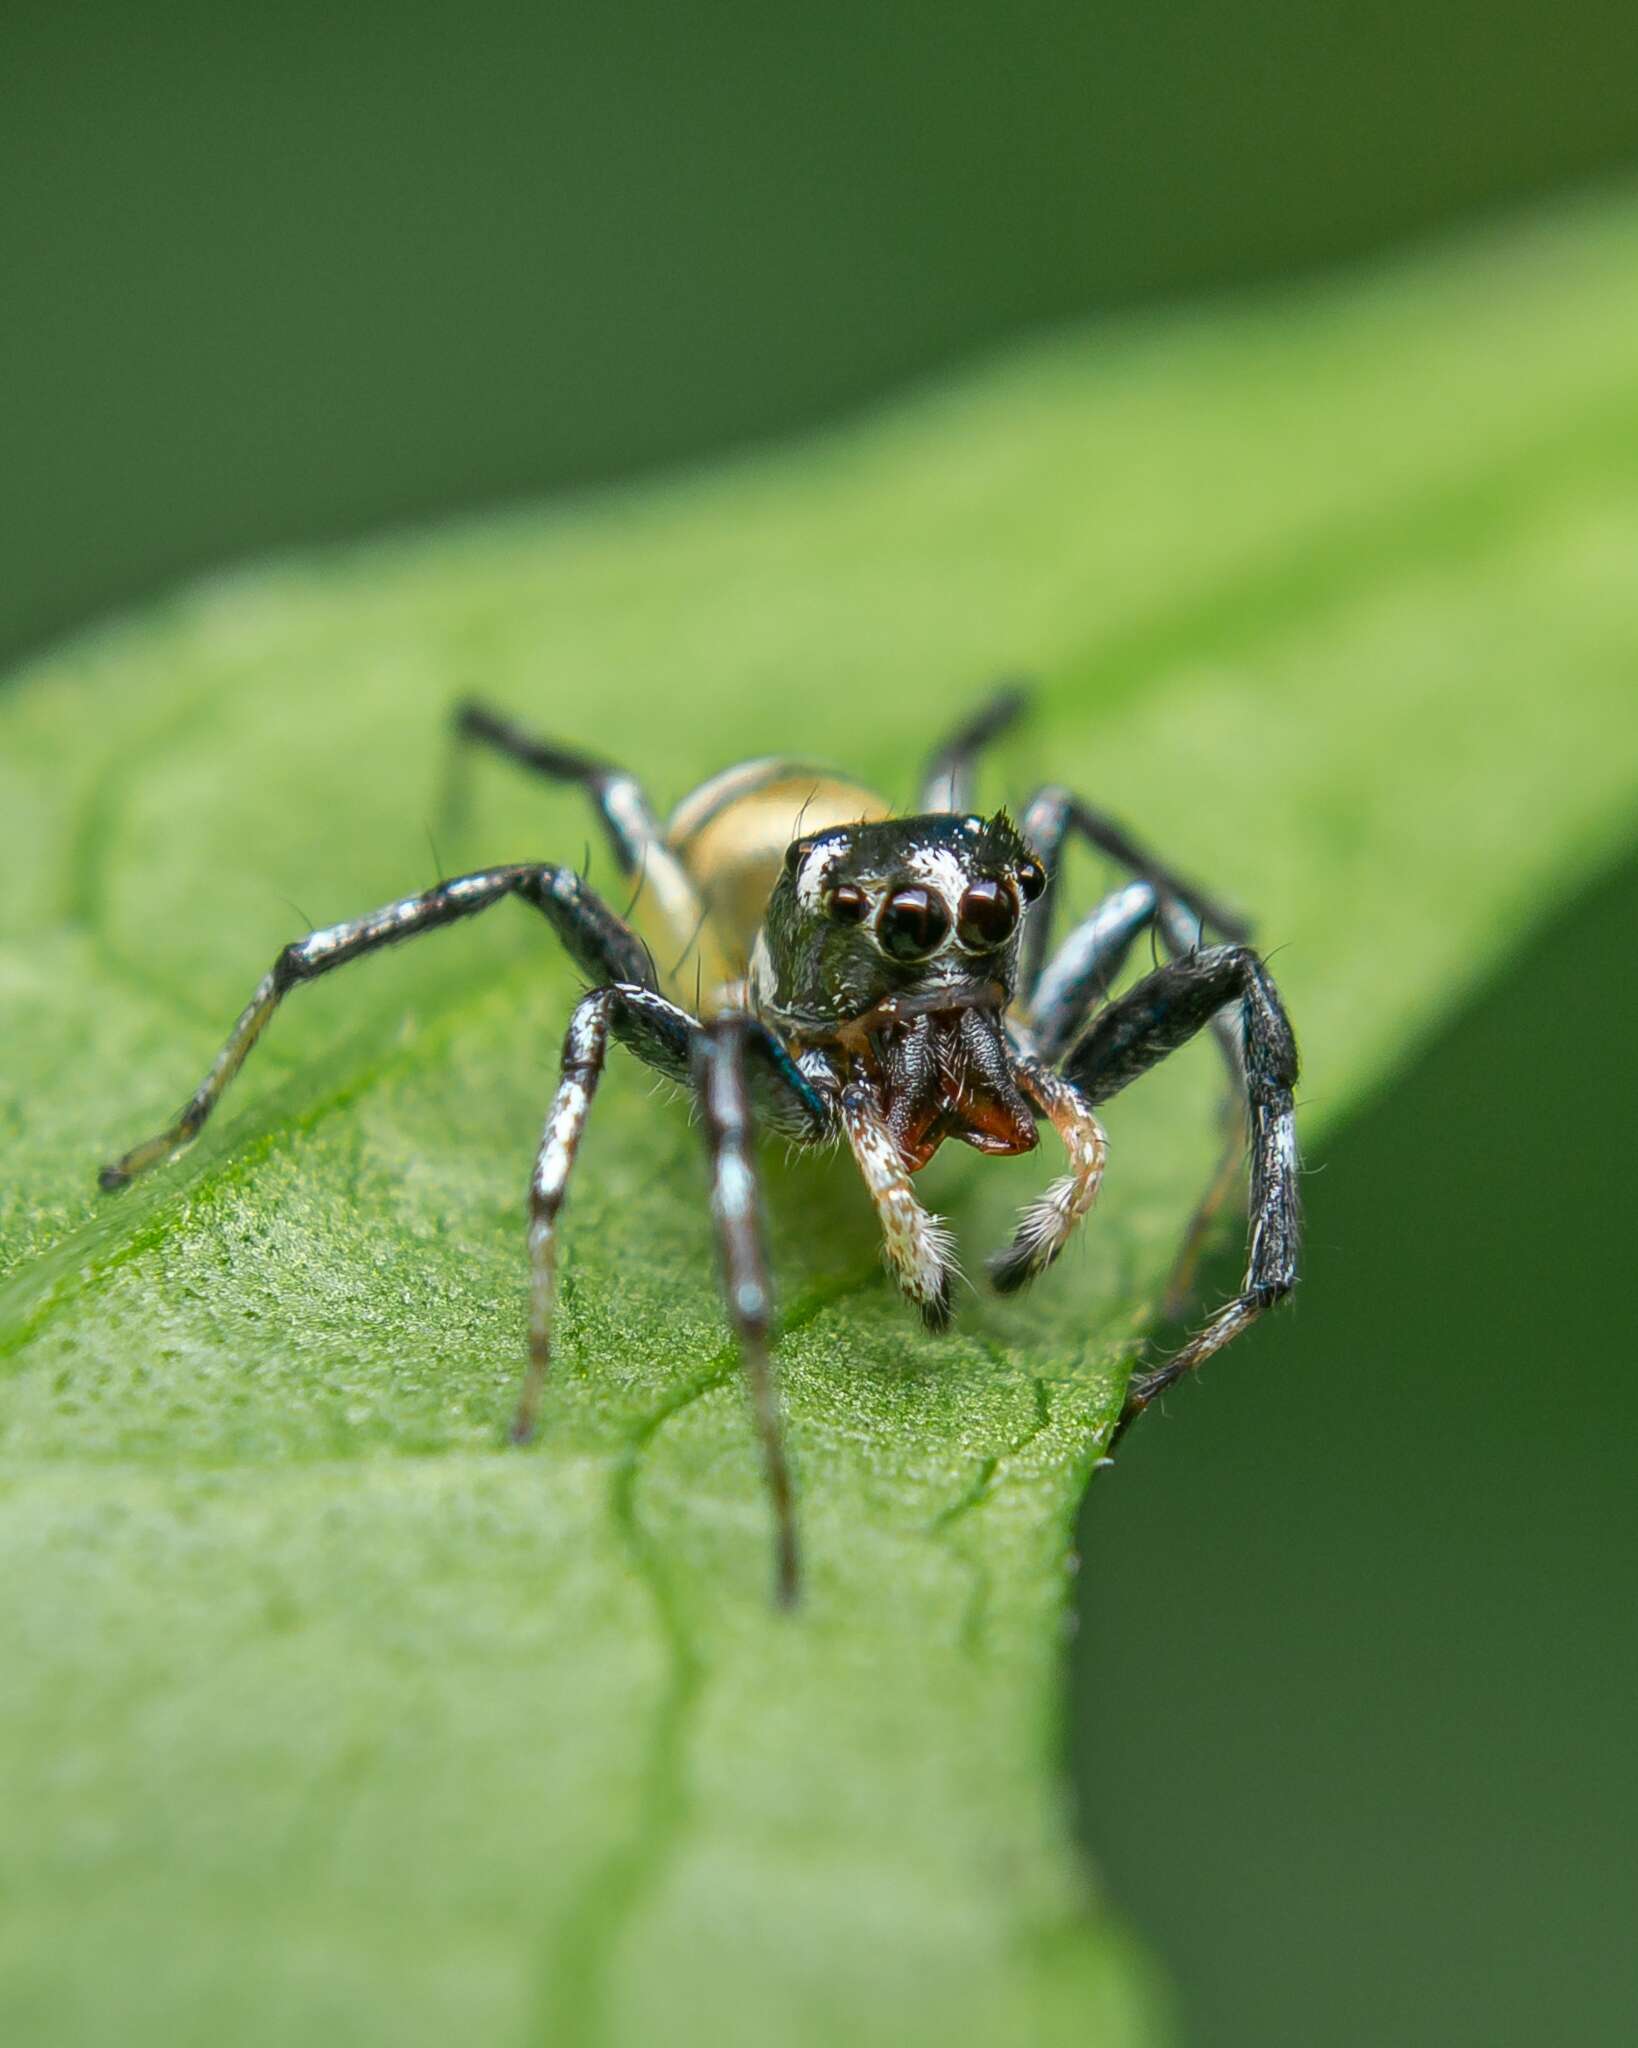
290	275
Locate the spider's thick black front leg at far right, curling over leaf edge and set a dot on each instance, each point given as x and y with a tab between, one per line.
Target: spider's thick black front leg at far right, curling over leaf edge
1131	1037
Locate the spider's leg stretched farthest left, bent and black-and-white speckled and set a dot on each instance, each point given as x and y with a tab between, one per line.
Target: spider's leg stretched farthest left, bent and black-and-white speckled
593	935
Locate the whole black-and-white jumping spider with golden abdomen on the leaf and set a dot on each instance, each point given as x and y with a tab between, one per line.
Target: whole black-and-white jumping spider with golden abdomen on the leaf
867	978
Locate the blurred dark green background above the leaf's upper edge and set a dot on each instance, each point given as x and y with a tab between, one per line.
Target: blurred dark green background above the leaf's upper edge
288	273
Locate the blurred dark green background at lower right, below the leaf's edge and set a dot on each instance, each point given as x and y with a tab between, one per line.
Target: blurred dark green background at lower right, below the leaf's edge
1377	1693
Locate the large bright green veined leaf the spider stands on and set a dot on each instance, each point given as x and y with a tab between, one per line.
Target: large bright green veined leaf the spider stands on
325	1715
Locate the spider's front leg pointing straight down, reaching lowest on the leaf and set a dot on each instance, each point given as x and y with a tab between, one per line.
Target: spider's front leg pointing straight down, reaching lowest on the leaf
722	1082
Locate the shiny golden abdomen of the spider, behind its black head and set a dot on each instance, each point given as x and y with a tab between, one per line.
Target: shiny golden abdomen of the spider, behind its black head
732	837
